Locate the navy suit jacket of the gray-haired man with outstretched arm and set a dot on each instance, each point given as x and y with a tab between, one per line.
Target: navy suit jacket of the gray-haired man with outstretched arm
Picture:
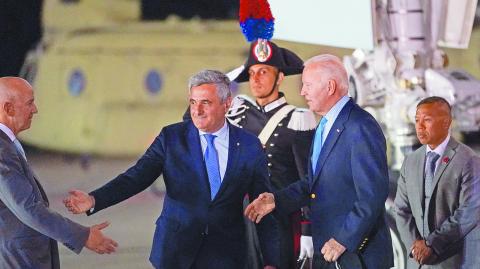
192	230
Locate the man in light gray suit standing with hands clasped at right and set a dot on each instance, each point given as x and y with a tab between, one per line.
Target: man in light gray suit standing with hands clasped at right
438	197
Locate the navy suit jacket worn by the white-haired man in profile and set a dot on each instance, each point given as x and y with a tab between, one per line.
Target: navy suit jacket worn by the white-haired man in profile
348	191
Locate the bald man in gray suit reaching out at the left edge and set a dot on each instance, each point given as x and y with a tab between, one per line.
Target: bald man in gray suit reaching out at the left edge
28	228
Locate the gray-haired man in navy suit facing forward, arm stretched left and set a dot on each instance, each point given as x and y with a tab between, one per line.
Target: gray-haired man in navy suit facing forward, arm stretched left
208	167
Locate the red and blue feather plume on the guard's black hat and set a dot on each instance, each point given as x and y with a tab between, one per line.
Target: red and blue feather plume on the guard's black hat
256	19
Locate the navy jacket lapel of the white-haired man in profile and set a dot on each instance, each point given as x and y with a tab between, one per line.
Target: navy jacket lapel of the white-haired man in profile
333	135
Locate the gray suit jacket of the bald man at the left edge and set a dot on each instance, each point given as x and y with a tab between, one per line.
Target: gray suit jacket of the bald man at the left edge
28	228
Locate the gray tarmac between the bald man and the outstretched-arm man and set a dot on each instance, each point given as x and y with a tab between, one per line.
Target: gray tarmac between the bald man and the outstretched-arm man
132	222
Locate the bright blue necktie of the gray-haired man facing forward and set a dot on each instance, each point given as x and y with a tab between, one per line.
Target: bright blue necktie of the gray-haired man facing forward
211	162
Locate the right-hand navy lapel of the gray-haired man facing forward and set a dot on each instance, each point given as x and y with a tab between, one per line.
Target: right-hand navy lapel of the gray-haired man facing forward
233	154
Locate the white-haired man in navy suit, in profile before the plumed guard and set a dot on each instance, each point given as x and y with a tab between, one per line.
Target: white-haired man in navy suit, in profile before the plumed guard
347	181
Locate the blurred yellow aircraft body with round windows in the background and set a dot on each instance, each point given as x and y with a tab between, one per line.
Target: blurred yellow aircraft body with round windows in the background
106	82
